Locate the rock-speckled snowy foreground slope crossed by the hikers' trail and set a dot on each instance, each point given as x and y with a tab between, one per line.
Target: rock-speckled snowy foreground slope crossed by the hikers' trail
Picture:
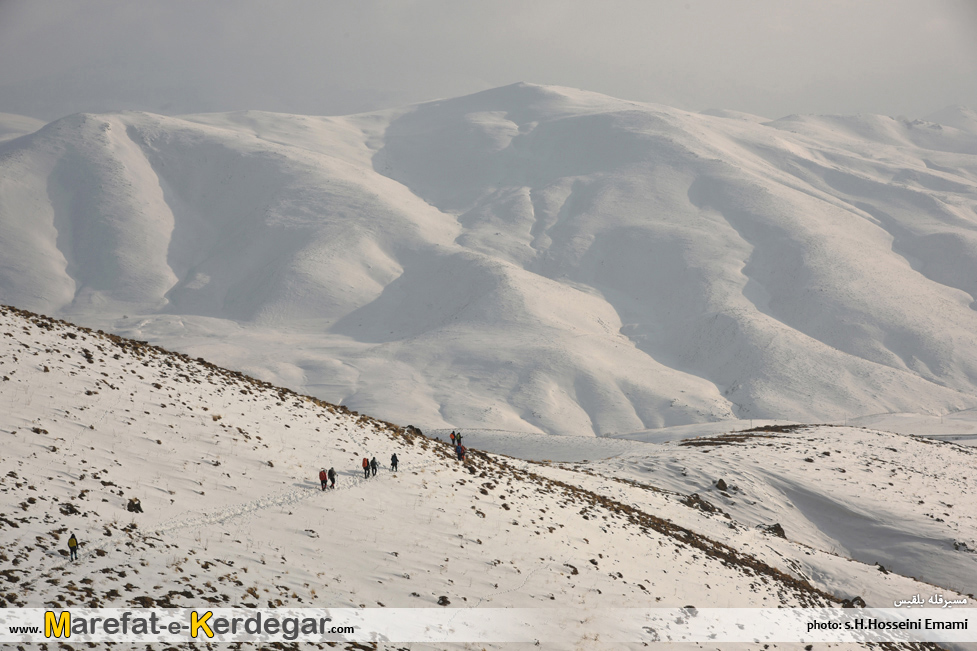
225	468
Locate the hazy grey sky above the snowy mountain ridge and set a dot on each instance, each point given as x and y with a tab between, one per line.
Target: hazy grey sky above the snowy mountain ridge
769	57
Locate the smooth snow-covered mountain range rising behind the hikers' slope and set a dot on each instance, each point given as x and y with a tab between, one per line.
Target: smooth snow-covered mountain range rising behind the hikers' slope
528	258
